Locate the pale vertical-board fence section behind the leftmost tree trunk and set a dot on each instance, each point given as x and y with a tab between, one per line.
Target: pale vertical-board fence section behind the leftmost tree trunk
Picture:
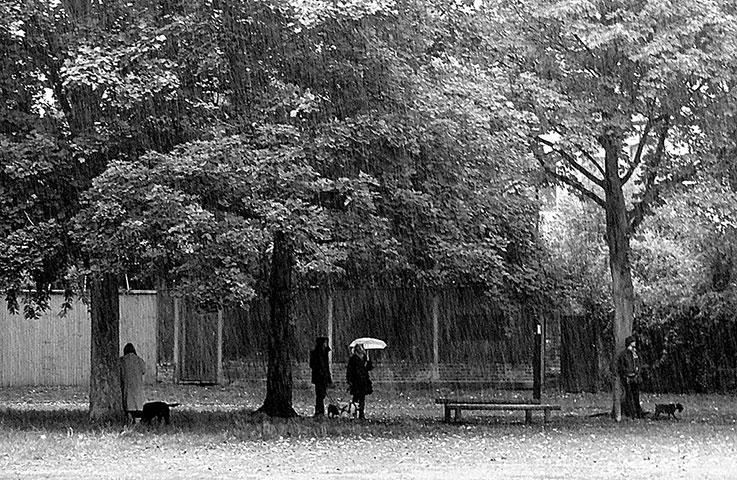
55	350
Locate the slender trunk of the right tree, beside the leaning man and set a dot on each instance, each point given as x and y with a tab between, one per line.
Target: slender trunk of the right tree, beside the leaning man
618	241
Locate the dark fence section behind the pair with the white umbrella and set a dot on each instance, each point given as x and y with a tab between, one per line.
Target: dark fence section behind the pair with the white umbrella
448	336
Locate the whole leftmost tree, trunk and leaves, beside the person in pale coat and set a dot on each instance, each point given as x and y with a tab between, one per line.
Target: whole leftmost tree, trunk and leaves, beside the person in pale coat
83	83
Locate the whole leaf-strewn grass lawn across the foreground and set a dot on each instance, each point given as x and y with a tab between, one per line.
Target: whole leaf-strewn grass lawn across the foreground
44	434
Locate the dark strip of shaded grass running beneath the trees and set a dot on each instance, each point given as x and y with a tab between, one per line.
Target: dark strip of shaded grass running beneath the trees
243	424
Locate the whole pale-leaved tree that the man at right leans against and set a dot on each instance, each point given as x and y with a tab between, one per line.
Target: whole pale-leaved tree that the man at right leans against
617	90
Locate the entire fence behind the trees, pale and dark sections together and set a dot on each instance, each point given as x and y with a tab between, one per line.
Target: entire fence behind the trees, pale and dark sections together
453	336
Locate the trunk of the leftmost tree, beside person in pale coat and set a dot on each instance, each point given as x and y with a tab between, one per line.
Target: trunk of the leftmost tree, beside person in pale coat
106	399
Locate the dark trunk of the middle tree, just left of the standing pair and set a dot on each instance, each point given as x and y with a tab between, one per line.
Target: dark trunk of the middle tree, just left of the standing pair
278	401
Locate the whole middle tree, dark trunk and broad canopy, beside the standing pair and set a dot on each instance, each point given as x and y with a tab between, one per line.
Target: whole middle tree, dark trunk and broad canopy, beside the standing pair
350	153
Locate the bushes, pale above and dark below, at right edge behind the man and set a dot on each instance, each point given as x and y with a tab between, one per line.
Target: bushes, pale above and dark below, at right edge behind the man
684	262
